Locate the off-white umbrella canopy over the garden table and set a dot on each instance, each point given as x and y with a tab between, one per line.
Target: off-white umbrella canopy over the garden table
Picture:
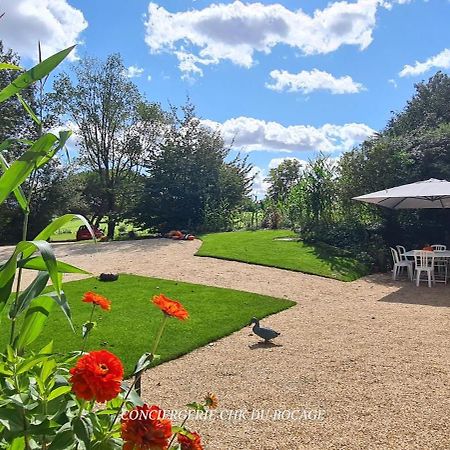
423	194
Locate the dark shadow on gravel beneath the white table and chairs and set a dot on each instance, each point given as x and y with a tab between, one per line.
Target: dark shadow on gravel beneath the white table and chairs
408	293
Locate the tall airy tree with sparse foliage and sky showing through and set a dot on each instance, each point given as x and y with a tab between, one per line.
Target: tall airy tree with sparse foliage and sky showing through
117	129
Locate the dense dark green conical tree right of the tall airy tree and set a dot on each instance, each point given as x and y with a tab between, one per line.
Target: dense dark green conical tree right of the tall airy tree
189	180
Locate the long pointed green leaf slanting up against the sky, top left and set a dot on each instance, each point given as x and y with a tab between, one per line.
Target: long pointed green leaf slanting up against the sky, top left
36	73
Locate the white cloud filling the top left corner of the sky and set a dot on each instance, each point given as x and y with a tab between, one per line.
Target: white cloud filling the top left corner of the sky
55	23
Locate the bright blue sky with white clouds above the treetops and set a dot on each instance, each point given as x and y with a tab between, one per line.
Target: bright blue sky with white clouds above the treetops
284	78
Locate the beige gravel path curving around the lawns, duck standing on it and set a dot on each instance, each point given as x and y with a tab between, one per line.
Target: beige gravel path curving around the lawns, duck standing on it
361	365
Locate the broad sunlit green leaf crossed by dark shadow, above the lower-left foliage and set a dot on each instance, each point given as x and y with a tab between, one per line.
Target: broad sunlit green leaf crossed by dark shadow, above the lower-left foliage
34	321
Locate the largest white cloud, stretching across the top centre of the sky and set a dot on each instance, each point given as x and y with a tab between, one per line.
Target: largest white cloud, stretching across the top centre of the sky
235	31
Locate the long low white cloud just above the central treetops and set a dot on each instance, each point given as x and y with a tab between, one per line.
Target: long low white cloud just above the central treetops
257	135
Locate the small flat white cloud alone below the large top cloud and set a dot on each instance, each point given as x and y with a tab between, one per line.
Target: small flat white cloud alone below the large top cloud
313	80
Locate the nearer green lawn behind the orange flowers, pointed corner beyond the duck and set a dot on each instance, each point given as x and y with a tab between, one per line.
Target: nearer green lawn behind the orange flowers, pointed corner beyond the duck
129	328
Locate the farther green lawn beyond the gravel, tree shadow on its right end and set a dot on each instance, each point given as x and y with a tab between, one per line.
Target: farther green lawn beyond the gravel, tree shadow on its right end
263	247
